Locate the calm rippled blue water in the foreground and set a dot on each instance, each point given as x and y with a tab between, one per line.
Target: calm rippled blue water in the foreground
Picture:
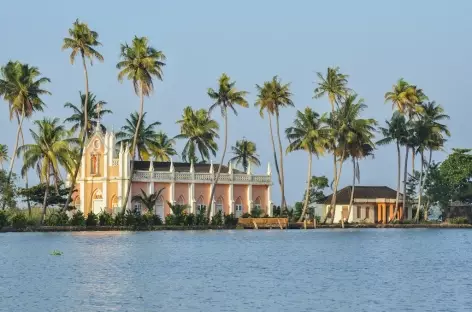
324	270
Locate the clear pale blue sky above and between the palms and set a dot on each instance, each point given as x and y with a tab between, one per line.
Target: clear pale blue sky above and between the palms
427	42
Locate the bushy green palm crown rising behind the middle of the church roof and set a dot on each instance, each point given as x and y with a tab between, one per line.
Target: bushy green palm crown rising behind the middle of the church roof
200	131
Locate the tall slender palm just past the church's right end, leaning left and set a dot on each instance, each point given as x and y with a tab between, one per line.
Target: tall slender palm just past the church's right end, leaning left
273	96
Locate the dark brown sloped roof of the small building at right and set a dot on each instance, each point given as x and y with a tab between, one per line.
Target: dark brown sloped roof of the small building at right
367	192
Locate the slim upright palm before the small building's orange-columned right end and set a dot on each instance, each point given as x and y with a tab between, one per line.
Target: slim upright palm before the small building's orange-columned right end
396	131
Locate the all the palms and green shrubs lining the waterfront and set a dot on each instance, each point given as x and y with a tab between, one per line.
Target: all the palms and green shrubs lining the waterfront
417	127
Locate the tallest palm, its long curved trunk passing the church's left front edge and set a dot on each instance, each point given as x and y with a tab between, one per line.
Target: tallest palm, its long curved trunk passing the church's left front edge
82	41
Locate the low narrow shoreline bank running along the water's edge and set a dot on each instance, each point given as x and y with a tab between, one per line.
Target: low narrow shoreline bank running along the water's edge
295	226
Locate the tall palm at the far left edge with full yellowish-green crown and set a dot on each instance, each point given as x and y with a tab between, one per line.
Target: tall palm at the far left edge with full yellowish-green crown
21	87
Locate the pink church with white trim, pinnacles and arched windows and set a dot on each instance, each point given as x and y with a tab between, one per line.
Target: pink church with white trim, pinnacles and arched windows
104	178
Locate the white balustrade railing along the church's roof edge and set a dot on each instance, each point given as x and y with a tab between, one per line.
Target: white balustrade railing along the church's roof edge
187	177
